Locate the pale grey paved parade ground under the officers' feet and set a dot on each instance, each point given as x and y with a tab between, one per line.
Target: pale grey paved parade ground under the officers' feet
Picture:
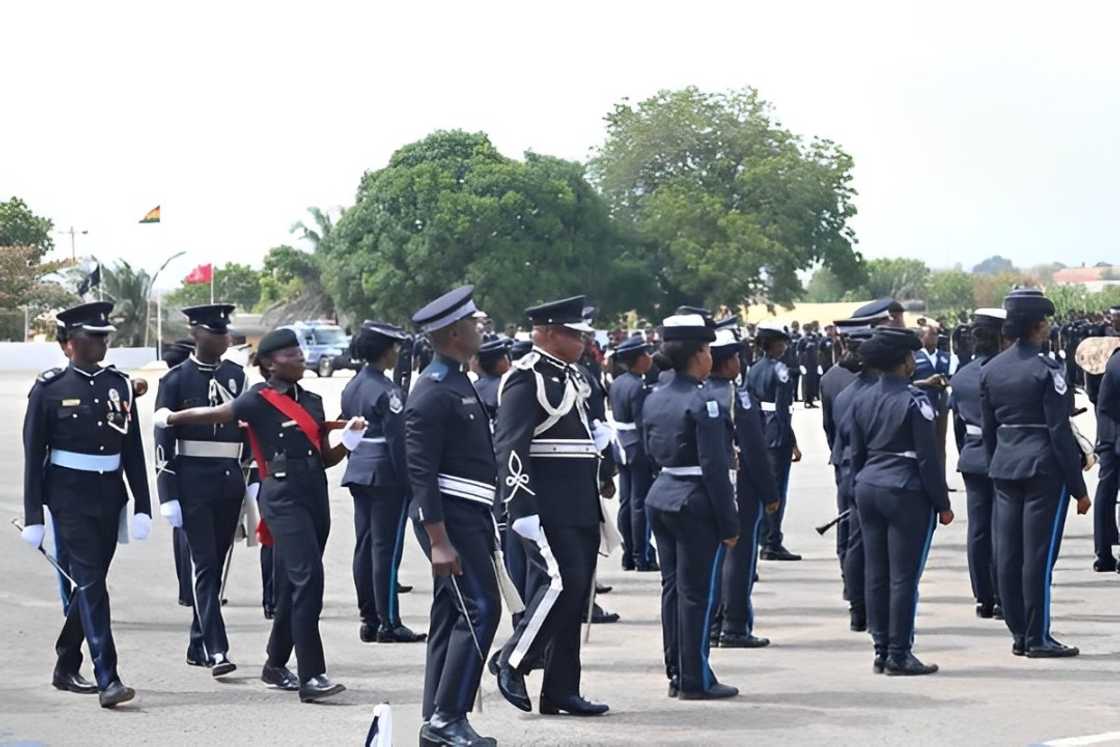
814	686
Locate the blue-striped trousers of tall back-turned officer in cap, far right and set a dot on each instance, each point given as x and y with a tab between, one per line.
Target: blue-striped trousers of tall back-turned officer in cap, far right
1030	519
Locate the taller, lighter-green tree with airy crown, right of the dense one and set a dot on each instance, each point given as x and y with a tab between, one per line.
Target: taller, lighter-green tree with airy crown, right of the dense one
730	204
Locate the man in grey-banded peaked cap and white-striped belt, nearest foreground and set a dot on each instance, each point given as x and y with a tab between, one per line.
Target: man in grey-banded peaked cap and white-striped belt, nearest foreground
453	477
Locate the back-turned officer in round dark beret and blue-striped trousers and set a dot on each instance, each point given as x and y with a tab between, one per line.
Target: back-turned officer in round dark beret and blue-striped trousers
900	489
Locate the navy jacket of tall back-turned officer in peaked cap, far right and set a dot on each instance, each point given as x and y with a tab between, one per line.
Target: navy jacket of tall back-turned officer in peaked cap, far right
1026	418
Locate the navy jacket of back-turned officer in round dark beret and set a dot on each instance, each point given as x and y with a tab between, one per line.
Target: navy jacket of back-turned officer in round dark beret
893	442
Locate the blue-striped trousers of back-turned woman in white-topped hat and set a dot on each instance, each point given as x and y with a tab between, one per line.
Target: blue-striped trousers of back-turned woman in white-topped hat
692	558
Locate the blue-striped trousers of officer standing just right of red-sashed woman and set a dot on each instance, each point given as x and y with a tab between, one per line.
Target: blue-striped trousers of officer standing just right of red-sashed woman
380	522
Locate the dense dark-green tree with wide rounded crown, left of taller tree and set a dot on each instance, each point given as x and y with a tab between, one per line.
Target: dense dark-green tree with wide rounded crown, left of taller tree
451	210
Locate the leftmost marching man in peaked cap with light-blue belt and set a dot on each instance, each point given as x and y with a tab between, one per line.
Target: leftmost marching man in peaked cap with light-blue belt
81	442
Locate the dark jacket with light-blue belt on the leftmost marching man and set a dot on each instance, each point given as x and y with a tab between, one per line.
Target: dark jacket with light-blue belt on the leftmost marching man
88	422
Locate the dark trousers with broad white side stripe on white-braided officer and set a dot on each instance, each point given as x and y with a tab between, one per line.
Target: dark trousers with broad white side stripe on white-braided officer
550	629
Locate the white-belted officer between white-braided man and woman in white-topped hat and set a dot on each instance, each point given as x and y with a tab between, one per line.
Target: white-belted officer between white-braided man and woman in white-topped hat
628	396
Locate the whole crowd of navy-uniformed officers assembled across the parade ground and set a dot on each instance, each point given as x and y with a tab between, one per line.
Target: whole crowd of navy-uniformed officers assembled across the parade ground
502	453
